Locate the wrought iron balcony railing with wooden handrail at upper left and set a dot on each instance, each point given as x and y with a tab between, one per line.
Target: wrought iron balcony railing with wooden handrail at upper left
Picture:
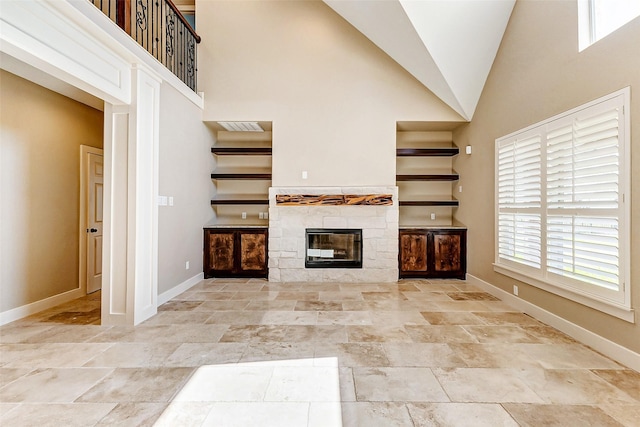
159	27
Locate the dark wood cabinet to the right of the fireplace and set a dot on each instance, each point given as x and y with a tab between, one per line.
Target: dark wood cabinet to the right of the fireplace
433	253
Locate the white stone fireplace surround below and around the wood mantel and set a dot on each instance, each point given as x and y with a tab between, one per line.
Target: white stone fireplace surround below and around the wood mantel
287	225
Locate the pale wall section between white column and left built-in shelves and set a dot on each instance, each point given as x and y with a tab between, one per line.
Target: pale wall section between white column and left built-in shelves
185	163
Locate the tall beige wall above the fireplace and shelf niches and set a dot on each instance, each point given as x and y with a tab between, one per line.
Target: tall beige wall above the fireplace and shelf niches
333	96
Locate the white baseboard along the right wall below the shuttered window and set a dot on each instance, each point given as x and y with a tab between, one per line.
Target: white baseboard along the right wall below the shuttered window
610	349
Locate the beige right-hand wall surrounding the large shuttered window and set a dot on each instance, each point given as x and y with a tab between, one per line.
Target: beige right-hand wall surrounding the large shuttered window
537	74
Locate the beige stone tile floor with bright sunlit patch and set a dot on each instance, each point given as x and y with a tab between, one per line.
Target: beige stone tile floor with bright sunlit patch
253	353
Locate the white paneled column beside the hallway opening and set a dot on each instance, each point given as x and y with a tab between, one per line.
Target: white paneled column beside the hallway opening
130	261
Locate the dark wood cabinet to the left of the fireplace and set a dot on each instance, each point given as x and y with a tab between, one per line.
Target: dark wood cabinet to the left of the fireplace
235	252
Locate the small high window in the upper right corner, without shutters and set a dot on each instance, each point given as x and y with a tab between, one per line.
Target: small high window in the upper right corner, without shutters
599	18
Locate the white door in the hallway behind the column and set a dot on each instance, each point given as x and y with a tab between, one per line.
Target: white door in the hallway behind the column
95	169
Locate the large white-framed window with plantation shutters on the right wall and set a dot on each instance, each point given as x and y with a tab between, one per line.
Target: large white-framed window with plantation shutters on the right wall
562	218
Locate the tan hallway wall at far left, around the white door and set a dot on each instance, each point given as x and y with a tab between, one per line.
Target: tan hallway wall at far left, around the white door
40	137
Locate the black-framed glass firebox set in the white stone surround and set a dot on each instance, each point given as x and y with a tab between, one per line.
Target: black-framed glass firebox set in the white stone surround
333	248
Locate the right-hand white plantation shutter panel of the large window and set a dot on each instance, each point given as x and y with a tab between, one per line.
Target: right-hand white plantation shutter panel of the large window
583	173
